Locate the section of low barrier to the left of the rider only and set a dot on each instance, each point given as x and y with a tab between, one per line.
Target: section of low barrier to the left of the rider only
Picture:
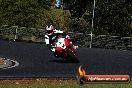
15	33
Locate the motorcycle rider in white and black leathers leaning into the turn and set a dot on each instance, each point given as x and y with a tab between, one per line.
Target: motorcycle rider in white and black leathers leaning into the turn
51	37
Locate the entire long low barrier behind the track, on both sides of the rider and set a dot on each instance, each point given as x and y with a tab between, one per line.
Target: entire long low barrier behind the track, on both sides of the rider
15	33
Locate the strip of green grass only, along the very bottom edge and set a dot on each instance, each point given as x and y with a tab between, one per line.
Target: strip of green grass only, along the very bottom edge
66	85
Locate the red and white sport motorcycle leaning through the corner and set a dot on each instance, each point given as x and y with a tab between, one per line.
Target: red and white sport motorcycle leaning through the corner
64	49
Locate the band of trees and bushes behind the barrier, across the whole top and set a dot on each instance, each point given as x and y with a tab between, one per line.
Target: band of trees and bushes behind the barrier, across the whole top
112	17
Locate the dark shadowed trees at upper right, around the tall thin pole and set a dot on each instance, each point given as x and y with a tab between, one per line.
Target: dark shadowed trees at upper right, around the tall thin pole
112	17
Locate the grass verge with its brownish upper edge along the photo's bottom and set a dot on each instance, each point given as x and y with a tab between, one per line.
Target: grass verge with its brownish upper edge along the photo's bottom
59	84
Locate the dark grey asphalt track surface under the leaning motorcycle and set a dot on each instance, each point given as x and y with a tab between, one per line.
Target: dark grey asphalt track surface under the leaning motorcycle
35	61
